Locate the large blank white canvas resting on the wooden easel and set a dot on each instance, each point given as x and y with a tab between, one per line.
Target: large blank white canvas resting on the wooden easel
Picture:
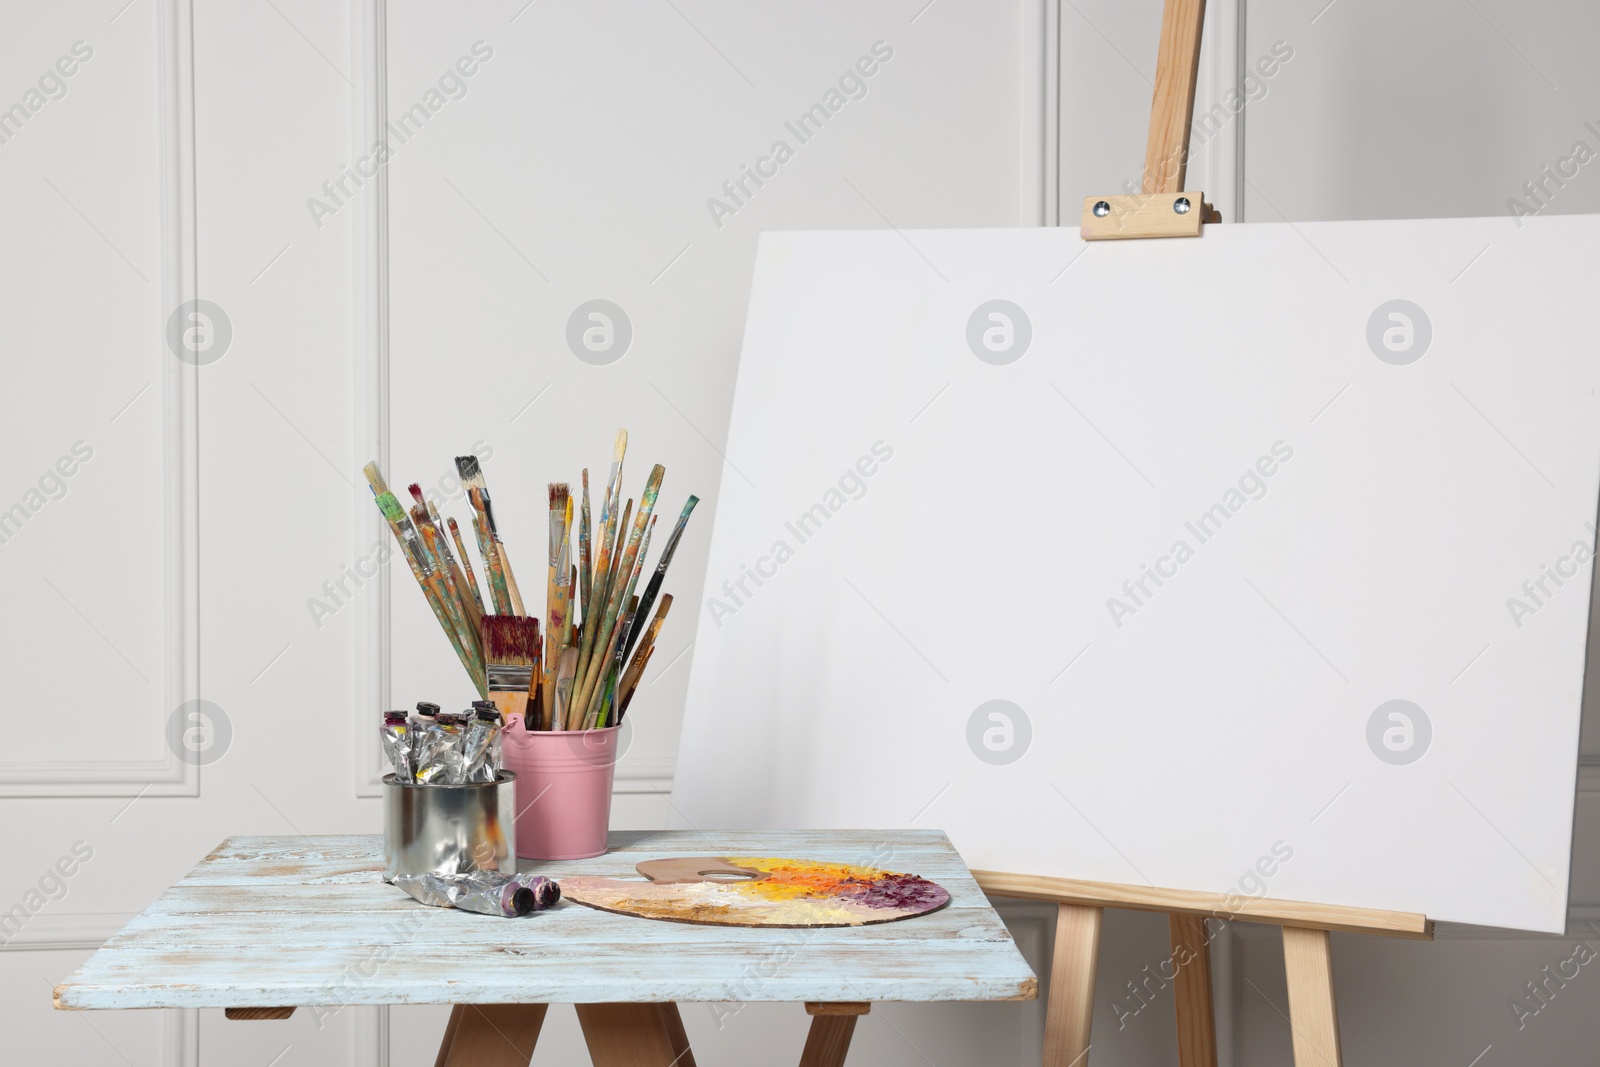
980	529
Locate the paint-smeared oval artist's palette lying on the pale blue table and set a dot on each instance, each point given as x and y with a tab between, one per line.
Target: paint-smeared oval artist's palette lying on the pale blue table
761	892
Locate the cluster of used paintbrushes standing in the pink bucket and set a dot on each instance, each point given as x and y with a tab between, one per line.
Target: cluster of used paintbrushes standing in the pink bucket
570	673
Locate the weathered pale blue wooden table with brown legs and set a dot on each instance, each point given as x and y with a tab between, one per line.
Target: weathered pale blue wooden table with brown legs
266	925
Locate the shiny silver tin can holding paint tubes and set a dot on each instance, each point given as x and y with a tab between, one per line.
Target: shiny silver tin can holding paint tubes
450	829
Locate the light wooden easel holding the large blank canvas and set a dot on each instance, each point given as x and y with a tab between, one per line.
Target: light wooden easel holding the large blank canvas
1162	209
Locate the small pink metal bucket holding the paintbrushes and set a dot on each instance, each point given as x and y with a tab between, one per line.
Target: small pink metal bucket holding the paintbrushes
564	789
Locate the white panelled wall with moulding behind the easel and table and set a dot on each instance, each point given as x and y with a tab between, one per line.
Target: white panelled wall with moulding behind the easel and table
585	151
